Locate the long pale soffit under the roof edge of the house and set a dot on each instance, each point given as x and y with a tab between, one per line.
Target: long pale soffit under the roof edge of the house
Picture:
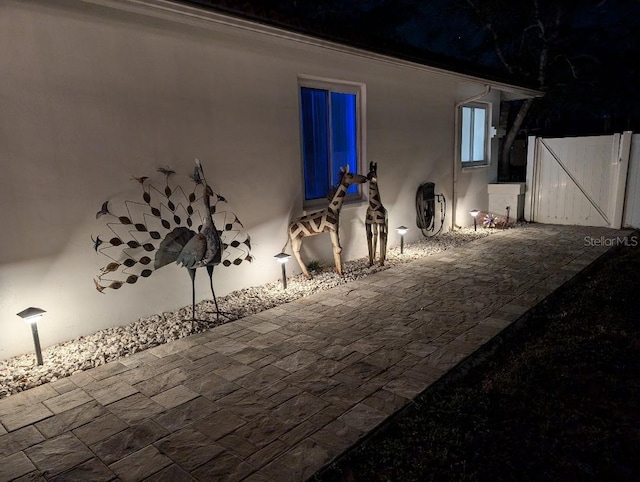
177	12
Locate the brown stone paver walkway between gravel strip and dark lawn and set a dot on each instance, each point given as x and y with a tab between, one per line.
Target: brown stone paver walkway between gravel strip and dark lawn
278	395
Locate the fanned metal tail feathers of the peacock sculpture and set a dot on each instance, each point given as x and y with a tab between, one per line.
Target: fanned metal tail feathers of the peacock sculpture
164	213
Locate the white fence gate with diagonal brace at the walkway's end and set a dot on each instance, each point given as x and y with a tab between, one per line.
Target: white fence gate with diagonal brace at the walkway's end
581	180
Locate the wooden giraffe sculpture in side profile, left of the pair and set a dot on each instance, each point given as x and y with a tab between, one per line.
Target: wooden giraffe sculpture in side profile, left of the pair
325	221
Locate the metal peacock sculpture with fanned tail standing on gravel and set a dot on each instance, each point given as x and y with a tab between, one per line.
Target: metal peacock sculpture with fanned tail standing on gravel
160	229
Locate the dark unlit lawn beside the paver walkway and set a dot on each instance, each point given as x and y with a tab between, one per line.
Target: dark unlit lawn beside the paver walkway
556	399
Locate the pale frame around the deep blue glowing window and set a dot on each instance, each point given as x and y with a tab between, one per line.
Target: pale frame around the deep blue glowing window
345	87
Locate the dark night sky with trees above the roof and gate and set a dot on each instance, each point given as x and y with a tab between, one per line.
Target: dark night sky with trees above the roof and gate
590	77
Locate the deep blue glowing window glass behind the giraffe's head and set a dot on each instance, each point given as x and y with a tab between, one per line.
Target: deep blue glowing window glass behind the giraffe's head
329	125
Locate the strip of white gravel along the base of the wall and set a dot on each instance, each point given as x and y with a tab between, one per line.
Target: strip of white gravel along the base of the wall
61	360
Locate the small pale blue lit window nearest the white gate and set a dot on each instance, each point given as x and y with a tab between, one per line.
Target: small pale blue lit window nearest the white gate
473	138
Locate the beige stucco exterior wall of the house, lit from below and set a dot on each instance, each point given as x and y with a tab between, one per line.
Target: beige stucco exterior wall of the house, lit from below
93	95
